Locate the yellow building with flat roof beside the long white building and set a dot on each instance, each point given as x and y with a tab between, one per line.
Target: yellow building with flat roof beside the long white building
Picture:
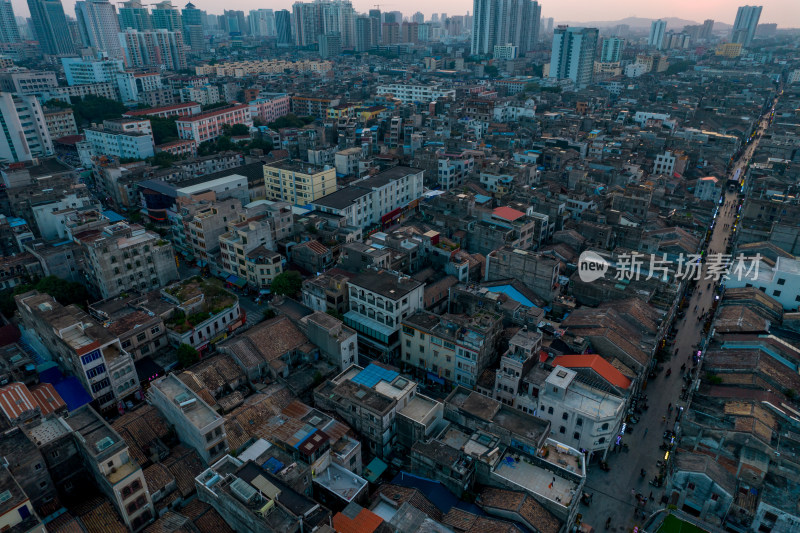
297	182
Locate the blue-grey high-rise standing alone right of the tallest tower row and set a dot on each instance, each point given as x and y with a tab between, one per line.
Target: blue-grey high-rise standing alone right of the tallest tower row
573	54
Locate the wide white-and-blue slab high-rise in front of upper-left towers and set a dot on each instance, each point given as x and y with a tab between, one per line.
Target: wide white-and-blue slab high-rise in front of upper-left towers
157	48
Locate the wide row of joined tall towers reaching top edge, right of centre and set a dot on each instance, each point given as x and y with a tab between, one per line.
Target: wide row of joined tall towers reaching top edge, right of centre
498	22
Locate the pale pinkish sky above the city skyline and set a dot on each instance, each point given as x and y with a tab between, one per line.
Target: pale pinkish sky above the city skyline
786	13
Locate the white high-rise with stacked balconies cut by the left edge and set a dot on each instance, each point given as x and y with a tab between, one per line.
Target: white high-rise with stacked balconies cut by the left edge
18	142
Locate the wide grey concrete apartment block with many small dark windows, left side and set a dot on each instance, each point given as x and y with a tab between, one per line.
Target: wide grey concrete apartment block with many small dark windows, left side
123	258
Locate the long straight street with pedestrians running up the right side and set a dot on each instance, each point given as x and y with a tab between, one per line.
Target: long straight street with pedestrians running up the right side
615	492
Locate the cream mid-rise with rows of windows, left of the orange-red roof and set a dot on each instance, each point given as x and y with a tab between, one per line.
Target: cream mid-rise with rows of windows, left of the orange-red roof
450	349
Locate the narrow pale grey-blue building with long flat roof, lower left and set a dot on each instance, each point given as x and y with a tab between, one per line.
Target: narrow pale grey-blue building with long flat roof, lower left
196	423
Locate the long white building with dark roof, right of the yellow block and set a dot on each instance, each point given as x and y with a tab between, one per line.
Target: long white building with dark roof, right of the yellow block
380	199
